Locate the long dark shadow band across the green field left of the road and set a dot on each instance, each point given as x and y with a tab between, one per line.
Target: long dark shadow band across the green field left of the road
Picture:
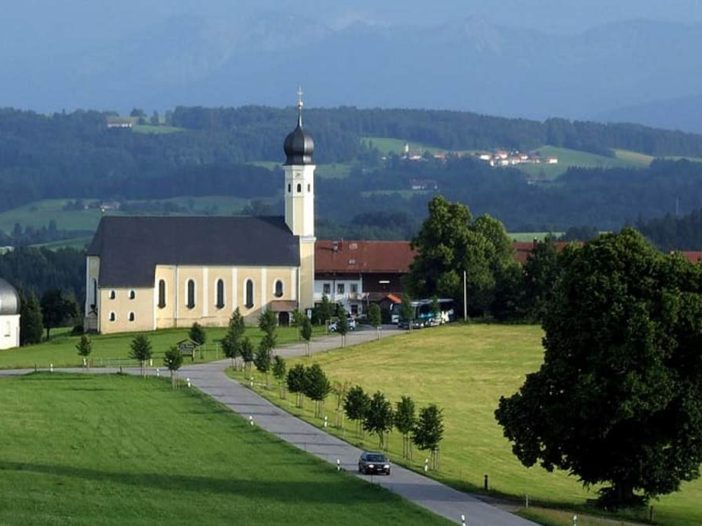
344	490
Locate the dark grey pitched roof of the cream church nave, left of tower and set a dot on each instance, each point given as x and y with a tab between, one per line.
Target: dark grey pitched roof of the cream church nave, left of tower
130	247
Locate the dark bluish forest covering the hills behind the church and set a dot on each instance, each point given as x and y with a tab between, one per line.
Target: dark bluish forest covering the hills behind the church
210	152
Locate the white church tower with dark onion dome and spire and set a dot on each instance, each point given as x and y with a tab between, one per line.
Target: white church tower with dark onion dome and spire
299	202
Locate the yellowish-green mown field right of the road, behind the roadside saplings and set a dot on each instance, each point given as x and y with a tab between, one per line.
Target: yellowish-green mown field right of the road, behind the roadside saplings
465	369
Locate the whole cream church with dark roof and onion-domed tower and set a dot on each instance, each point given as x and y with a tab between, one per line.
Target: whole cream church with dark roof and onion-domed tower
146	273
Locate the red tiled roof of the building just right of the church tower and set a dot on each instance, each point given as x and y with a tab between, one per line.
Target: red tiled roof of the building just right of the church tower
363	256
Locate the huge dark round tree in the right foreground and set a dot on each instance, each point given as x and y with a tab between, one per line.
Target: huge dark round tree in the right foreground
618	399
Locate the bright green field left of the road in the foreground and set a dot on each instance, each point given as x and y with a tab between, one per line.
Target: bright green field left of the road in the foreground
114	450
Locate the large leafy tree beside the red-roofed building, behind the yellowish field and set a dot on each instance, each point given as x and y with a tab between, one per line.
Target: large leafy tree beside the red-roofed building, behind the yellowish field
451	242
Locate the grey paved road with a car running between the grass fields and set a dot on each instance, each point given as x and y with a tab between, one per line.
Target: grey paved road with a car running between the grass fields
439	498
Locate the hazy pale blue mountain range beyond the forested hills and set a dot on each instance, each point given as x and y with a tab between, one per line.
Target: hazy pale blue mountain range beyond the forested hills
638	71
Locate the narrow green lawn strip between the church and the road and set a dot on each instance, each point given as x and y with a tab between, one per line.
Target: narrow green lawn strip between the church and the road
113	349
